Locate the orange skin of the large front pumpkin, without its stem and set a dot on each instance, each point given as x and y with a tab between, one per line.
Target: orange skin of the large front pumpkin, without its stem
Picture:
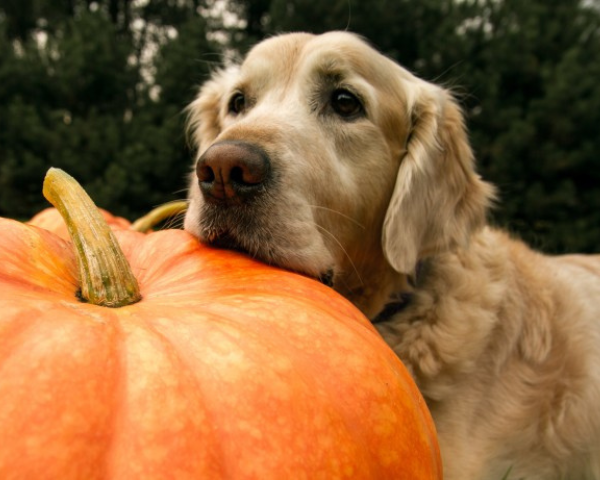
226	369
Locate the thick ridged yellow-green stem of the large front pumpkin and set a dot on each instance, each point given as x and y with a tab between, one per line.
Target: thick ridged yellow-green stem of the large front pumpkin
105	275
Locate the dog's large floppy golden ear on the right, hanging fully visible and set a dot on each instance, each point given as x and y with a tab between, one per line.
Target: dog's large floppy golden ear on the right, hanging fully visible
438	199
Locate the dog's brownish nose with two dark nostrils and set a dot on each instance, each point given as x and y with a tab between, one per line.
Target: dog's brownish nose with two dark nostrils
232	171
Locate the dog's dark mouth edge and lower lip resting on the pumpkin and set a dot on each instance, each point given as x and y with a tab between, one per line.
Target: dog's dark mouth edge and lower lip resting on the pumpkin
227	240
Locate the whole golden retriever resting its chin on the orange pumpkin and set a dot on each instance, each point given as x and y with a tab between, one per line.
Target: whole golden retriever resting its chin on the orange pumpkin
320	155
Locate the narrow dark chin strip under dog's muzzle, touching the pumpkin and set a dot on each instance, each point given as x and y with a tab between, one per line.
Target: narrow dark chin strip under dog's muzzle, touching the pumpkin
268	254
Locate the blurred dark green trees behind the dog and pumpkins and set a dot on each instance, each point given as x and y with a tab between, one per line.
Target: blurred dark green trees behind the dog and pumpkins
97	87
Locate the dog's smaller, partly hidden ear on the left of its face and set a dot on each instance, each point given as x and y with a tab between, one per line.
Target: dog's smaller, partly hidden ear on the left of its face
205	112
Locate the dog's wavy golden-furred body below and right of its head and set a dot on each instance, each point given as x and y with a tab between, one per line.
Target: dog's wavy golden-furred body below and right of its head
504	344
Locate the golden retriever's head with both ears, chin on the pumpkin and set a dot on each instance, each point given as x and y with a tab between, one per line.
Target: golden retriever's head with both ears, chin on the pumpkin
321	155
